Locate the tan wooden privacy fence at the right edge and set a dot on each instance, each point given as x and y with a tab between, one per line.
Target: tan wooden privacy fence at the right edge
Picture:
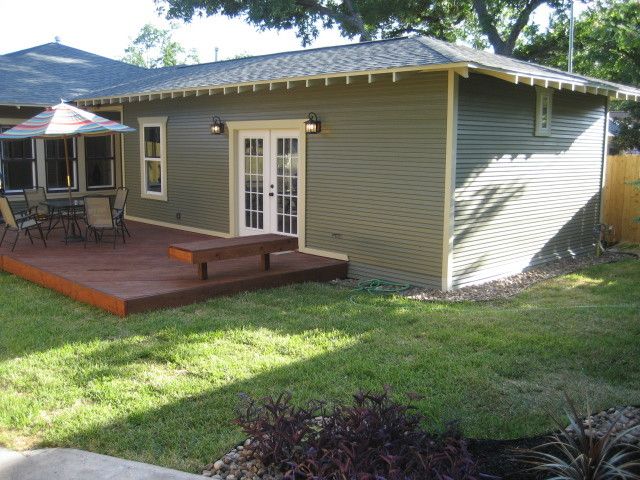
621	200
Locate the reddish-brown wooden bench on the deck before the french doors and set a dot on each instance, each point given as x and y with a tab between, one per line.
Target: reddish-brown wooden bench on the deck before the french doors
203	251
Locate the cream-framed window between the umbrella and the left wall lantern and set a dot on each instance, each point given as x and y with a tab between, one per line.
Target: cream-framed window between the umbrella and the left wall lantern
153	157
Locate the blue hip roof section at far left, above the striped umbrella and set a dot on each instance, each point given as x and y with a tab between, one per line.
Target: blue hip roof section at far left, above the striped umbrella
43	75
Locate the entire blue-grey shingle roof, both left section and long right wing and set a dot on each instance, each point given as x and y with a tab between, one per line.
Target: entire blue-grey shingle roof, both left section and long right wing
44	74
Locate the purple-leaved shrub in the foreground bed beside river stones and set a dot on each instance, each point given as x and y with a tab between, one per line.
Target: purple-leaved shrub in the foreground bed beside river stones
375	438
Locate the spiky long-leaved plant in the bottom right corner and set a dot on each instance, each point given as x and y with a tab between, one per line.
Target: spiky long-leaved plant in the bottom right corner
578	454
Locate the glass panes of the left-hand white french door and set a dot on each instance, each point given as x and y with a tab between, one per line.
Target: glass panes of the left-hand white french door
254	183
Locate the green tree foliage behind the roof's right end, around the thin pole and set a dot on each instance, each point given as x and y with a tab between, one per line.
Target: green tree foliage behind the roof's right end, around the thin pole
607	46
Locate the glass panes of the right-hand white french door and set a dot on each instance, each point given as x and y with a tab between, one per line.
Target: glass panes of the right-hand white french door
286	185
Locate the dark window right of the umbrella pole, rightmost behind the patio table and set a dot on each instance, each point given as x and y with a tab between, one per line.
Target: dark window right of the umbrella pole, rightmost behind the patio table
100	162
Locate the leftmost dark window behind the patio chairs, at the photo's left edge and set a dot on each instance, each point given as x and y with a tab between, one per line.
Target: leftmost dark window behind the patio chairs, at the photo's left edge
18	164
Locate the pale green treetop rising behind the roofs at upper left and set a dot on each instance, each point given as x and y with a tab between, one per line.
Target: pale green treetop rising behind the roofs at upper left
154	47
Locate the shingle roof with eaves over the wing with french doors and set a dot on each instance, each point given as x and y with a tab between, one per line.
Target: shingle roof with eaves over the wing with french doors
376	57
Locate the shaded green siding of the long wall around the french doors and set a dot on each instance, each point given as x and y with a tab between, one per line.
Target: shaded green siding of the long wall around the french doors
375	175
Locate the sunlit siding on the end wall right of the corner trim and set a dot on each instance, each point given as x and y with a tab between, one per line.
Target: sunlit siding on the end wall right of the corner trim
522	200
